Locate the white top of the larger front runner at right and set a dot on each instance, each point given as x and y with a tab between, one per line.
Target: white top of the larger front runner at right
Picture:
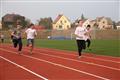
80	31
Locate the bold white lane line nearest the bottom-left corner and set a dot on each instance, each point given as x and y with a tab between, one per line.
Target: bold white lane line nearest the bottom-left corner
23	68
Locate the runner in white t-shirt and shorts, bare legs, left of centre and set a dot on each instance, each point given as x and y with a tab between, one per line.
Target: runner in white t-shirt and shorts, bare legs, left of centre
31	34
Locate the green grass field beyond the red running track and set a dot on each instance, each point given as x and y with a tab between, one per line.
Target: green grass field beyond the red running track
101	47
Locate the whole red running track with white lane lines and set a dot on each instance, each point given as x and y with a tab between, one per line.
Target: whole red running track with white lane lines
52	64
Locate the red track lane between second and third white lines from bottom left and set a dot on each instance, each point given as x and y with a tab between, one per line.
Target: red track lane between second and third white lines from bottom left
96	70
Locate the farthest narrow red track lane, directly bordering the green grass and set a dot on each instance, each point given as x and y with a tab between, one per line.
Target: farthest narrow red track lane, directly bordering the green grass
73	53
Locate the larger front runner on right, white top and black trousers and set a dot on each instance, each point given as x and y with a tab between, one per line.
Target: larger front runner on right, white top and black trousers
80	33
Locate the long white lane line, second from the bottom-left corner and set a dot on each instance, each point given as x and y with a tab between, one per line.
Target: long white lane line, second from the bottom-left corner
90	74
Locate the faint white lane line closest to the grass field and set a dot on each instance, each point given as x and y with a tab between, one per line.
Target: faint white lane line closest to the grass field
84	56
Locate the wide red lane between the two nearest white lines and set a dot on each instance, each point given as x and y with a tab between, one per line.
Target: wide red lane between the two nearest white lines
48	70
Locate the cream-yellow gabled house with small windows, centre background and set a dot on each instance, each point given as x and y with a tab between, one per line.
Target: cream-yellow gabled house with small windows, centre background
61	23
